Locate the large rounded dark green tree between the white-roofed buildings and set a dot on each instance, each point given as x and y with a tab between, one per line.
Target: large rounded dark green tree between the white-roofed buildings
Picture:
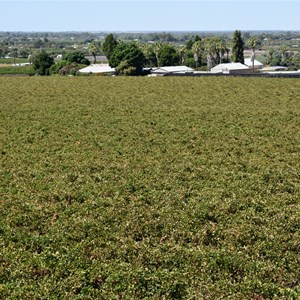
128	59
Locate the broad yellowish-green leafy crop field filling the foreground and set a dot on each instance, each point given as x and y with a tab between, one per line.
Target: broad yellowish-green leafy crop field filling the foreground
149	188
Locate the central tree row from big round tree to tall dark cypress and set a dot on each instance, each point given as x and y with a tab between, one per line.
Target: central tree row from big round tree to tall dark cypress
130	58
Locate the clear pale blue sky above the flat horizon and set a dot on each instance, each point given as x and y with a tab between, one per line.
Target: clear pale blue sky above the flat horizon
147	15
